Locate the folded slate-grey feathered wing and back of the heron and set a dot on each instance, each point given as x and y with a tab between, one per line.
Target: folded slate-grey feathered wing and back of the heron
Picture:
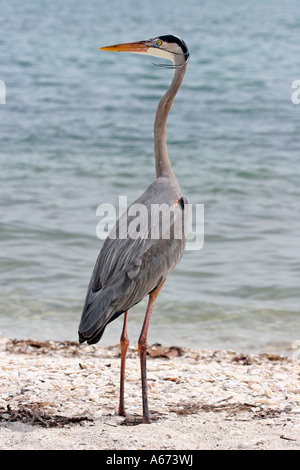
127	269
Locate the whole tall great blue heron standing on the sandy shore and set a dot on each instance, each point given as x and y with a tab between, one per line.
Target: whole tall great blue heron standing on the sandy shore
128	269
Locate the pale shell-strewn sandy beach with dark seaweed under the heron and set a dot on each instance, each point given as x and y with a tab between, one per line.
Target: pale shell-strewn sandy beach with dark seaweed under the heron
59	395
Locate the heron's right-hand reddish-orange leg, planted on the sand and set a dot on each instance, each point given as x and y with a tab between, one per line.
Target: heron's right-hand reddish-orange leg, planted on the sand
142	346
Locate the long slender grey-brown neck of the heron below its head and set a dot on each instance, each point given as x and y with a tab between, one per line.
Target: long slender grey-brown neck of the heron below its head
162	162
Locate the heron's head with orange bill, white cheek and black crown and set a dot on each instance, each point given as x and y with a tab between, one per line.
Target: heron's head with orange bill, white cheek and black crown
169	47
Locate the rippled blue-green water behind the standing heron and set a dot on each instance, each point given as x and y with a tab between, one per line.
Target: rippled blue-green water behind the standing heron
77	131
